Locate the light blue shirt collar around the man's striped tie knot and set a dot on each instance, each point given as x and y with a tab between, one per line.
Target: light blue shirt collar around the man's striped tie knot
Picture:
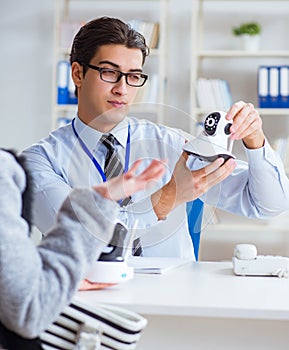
92	136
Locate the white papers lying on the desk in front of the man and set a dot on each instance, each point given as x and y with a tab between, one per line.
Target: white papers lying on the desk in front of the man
155	265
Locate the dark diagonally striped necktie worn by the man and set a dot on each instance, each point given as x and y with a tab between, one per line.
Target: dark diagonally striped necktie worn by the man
113	167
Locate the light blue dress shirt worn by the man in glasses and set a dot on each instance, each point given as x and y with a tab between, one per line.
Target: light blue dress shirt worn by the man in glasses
259	188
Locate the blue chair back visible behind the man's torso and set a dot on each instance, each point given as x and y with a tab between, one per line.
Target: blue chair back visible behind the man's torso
195	214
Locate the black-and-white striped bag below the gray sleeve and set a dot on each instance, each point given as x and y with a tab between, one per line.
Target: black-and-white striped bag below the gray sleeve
101	327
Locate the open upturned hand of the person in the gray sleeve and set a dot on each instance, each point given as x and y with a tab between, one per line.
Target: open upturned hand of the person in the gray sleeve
125	185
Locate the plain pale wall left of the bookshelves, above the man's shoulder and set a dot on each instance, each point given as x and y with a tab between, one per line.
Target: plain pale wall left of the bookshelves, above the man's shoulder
26	66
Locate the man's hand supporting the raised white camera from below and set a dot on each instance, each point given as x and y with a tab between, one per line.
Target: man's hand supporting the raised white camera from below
186	185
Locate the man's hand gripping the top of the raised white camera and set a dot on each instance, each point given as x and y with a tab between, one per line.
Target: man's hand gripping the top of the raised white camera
247	125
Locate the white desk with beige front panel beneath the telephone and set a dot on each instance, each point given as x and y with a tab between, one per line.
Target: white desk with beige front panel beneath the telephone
204	306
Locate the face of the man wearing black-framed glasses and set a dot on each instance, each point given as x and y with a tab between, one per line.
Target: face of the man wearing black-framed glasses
102	104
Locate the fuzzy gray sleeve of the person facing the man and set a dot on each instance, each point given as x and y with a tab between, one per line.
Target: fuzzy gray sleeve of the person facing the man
37	282
